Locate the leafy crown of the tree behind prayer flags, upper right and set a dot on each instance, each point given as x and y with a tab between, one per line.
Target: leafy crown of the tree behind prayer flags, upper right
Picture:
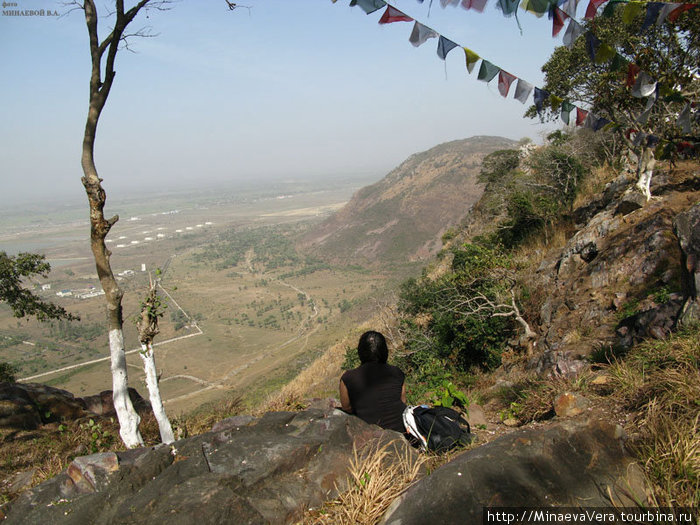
669	52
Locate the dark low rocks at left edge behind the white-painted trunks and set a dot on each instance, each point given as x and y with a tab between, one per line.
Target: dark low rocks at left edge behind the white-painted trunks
26	406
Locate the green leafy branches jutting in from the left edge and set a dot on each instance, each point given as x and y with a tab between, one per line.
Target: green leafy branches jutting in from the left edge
13	270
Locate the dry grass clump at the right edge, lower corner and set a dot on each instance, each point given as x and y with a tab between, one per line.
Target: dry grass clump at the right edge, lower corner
659	382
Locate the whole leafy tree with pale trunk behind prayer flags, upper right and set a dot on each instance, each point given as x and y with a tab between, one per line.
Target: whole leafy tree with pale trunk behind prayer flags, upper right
610	85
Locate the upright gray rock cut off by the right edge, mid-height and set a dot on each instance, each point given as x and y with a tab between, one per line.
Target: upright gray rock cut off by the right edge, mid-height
687	228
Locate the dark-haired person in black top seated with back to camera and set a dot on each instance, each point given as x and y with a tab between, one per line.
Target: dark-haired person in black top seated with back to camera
374	391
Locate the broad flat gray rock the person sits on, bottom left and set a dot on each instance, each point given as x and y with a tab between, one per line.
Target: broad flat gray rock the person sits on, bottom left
265	470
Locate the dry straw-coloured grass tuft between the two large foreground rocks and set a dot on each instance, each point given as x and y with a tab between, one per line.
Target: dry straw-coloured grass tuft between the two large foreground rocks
377	478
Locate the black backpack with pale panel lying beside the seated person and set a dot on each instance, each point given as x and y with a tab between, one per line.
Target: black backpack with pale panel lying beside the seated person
438	429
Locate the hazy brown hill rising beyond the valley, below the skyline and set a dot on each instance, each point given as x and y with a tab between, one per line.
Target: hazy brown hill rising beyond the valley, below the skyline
403	216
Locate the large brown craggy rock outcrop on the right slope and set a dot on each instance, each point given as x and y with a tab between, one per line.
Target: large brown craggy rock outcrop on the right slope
616	280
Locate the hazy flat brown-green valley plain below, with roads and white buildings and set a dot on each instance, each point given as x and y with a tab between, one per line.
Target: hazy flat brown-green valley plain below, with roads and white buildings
245	311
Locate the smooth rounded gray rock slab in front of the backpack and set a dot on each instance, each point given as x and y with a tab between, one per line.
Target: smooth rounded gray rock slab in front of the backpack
569	464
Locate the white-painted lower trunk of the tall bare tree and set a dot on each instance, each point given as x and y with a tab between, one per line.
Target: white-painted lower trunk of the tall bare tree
128	418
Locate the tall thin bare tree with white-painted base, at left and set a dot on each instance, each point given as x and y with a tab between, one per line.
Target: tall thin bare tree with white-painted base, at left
103	54
